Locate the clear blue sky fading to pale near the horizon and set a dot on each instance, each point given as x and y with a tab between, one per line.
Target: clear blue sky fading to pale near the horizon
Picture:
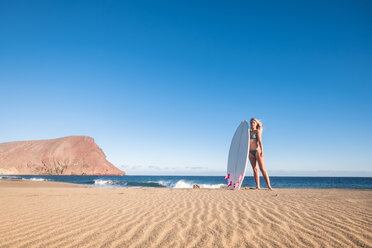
162	85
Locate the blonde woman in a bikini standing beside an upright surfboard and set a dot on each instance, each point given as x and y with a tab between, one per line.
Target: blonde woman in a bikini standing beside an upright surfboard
256	153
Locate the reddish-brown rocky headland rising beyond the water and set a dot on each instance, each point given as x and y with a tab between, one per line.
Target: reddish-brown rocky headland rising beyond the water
72	155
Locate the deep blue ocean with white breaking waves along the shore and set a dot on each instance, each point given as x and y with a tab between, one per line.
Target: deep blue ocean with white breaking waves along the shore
203	181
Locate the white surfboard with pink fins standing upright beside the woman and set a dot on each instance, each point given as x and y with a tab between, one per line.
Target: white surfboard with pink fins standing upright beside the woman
238	156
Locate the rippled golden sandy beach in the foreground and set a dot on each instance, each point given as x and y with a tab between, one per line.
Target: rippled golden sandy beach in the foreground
47	214
